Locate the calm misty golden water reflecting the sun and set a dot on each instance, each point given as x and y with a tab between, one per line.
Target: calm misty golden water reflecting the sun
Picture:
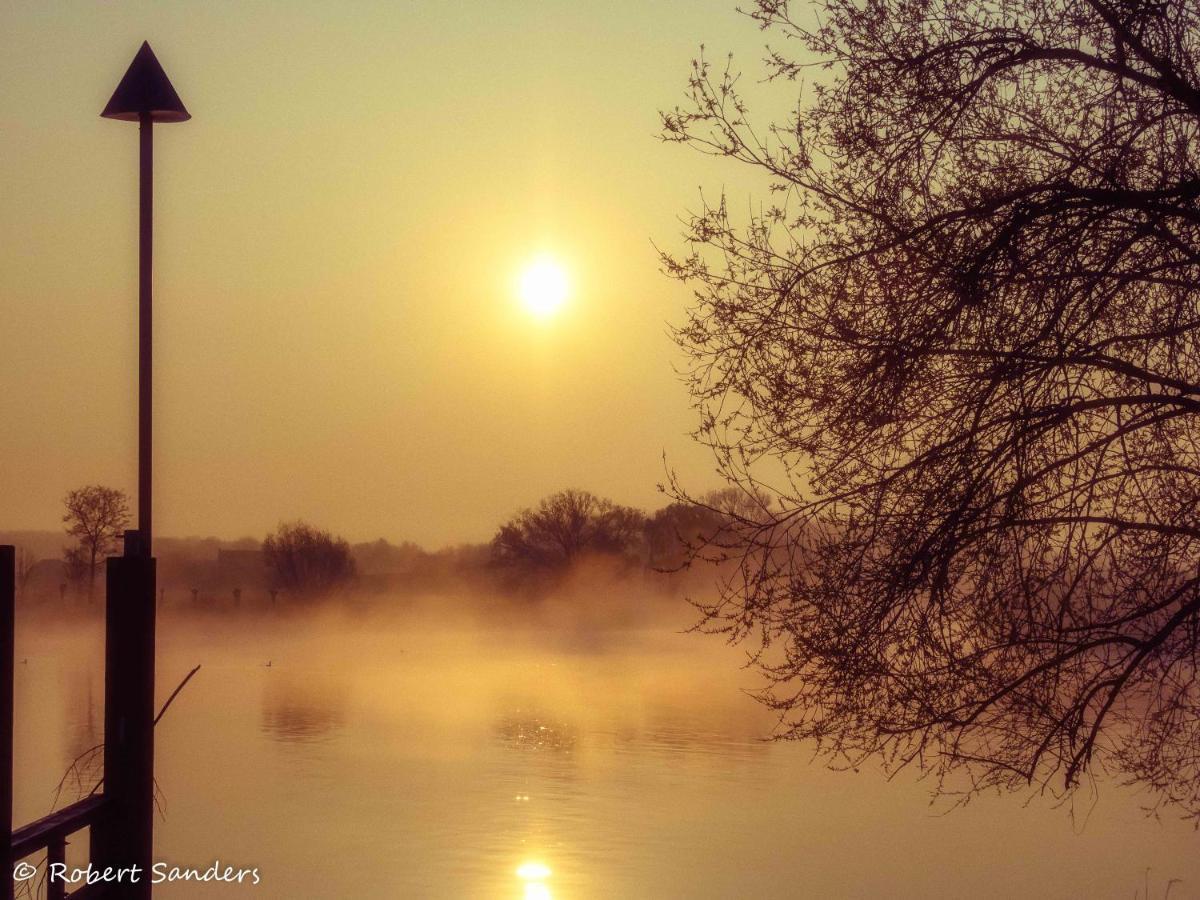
413	759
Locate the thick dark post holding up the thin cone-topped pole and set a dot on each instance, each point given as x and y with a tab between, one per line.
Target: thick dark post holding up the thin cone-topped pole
125	837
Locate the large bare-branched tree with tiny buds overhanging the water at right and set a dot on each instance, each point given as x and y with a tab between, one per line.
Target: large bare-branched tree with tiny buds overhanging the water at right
965	329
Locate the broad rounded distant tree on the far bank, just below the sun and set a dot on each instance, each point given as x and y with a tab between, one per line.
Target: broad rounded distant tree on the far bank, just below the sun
566	526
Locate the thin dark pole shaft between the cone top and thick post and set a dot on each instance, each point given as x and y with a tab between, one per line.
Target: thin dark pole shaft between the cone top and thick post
146	326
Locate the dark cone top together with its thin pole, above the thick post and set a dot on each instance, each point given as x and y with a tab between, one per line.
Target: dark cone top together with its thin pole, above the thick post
146	97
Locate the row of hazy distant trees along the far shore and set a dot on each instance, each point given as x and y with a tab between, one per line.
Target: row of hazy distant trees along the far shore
304	561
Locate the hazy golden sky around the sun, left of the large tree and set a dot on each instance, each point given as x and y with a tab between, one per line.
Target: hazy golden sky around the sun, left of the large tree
339	236
